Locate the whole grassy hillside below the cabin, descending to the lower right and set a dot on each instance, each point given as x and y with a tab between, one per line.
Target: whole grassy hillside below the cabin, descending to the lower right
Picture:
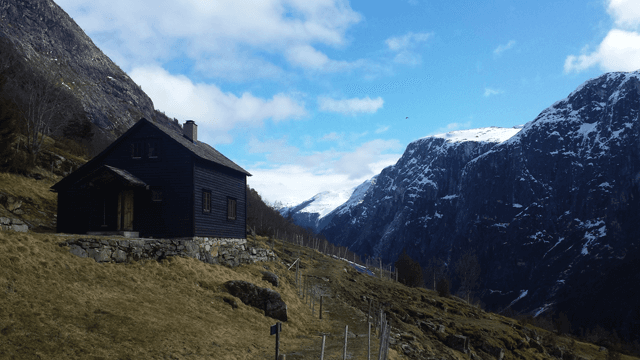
57	305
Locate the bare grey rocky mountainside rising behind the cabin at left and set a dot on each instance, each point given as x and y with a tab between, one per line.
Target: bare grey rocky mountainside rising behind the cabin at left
51	44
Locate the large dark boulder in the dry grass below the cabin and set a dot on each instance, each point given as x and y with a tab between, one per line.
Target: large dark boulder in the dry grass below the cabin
258	297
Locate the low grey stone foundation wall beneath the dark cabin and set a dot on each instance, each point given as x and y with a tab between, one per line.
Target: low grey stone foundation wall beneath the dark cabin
224	251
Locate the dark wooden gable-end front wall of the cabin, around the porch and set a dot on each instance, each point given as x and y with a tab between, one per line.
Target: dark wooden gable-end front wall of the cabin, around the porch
171	172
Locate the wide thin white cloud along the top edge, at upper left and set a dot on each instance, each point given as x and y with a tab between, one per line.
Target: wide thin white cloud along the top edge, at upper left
208	31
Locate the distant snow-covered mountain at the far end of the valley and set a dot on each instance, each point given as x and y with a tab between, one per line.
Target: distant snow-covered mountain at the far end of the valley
318	211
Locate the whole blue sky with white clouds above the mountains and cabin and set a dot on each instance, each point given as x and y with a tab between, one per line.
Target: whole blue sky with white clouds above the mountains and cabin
315	95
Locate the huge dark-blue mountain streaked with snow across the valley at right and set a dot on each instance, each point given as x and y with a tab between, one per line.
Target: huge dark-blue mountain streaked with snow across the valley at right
552	213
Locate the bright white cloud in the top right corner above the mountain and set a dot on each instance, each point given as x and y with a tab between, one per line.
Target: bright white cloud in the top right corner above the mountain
620	49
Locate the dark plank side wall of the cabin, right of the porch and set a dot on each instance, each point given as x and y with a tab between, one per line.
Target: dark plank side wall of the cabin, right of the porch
223	183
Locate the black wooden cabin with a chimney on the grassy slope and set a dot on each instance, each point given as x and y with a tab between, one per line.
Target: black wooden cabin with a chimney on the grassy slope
155	182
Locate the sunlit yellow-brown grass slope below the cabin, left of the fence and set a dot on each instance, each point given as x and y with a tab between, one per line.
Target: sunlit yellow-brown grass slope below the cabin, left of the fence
55	305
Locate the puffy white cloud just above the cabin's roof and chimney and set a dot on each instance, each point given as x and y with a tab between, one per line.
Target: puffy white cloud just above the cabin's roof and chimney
214	110
